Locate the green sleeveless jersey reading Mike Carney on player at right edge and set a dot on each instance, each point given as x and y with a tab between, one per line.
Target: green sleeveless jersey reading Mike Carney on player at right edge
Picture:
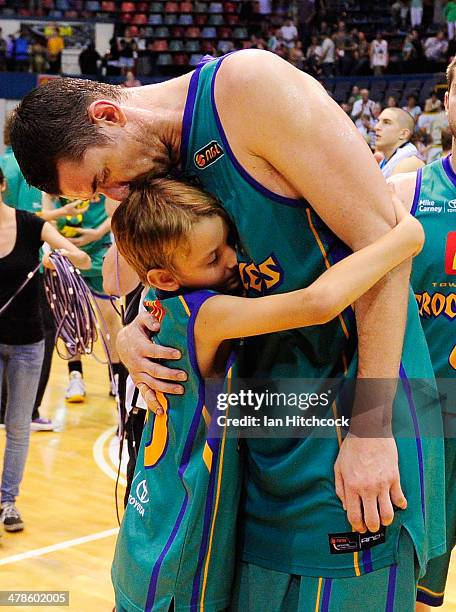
434	269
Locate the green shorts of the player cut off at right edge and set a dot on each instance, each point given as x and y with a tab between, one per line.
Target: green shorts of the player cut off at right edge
431	587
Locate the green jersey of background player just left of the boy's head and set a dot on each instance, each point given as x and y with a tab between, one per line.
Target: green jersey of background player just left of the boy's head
90	217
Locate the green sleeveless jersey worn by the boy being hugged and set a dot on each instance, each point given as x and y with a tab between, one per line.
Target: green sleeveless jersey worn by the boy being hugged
178	535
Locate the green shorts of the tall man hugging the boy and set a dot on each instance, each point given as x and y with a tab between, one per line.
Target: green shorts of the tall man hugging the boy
392	589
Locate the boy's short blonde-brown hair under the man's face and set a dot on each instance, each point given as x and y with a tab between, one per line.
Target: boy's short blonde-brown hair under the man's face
155	220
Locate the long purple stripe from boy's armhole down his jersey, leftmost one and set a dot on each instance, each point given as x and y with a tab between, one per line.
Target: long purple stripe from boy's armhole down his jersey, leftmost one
194	302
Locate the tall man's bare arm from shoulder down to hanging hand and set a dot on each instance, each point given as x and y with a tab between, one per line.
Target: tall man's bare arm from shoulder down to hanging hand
303	133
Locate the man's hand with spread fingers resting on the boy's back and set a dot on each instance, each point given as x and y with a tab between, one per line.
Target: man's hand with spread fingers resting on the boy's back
138	352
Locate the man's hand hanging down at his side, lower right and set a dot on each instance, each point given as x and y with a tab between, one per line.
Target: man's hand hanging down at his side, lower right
368	482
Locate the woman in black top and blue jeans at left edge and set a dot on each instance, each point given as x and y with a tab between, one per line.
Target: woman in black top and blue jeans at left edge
21	336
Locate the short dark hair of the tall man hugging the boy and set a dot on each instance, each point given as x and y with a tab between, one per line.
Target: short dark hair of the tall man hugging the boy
52	124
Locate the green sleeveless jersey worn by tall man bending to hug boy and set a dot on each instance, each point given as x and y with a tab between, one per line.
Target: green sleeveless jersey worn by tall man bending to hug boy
291	510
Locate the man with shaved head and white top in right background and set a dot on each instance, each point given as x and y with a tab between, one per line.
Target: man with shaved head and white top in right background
394	132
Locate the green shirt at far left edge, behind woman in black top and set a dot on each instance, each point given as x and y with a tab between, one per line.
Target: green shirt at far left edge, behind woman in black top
18	193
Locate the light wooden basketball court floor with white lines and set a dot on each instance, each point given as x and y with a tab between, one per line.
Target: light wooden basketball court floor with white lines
67	502
